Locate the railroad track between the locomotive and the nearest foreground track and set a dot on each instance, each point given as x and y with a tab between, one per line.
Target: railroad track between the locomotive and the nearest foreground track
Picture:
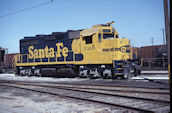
129	89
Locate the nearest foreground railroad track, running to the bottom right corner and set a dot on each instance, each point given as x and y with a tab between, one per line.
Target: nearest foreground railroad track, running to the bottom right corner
102	96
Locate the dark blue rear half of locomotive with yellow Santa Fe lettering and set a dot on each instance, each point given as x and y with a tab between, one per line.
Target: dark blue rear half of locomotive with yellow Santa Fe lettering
46	55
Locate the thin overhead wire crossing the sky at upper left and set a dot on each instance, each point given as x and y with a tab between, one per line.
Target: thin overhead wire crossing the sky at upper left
22	10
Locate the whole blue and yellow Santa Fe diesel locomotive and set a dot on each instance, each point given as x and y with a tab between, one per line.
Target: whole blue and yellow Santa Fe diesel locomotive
94	52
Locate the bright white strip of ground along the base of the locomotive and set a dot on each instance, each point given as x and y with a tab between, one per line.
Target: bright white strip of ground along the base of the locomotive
50	79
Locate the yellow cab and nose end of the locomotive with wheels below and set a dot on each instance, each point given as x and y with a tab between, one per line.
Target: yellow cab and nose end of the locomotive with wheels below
105	54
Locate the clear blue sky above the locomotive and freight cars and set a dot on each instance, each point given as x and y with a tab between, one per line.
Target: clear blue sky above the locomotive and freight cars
138	20
